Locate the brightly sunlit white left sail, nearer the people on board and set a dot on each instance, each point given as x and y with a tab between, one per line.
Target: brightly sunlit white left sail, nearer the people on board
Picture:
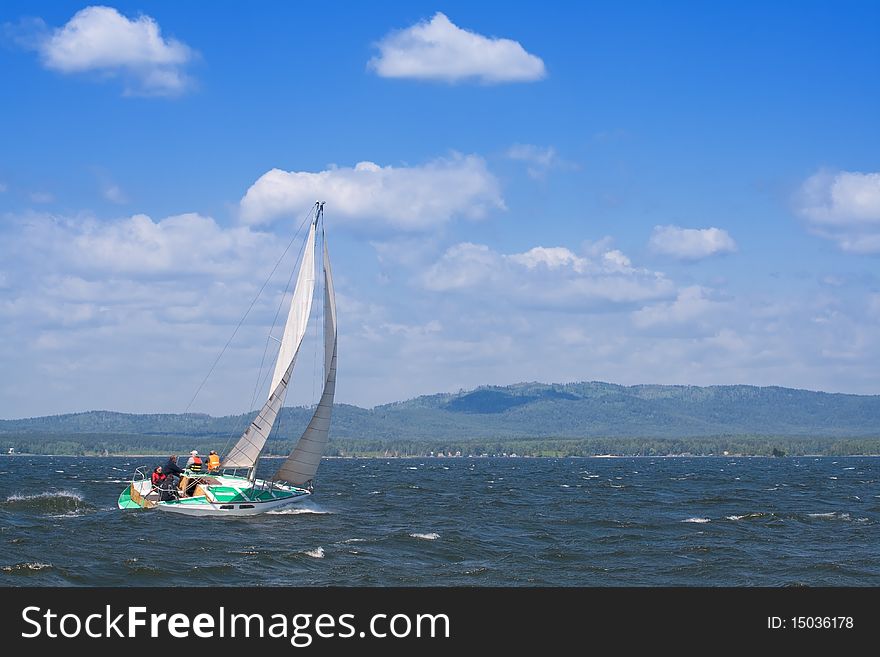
247	450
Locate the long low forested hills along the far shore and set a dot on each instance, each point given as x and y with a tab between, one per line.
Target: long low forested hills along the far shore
528	410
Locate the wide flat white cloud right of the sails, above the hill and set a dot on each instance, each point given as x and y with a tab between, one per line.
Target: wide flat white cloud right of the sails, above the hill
546	277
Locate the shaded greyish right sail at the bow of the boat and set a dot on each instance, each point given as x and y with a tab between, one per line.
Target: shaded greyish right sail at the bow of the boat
300	467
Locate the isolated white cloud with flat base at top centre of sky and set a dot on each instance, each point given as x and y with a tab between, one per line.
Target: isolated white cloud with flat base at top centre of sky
439	50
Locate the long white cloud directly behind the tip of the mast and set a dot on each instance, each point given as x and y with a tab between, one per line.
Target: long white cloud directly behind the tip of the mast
408	198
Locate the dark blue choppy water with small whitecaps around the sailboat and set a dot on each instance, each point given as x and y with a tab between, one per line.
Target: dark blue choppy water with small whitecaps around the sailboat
480	522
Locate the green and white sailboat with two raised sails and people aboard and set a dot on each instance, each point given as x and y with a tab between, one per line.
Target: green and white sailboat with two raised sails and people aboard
234	489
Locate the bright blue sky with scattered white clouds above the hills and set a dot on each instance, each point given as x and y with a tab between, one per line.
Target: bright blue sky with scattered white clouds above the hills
633	192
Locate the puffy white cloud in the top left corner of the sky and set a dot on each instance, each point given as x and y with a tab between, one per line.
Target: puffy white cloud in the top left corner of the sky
100	39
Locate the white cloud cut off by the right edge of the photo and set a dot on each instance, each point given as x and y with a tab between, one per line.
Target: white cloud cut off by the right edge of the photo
843	206
